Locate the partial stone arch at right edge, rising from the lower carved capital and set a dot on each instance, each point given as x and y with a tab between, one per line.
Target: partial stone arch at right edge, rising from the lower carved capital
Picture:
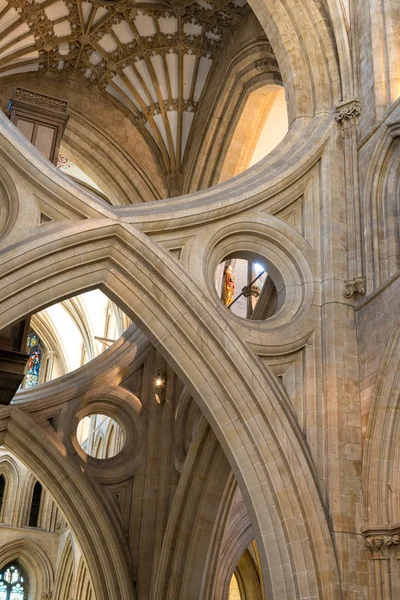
381	463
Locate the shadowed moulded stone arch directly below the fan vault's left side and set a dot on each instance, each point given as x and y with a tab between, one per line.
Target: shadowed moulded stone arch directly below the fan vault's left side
92	112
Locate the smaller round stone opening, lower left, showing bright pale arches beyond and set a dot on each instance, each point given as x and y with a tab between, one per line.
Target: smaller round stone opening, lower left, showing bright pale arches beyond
100	436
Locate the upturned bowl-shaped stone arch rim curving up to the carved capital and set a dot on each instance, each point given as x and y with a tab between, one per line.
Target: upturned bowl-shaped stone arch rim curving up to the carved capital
306	141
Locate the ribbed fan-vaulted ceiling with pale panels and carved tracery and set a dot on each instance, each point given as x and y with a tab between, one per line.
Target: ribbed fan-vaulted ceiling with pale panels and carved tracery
152	57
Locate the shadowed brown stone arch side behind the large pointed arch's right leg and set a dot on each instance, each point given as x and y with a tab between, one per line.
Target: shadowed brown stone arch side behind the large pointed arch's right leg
201	504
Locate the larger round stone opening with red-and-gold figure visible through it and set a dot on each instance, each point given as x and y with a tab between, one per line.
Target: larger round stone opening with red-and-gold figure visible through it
246	287
